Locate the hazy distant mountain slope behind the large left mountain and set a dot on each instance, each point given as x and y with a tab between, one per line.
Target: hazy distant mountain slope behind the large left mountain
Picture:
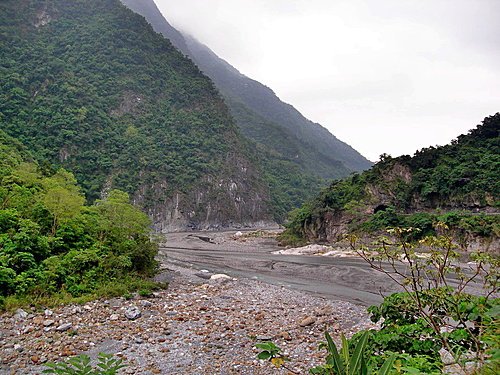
297	155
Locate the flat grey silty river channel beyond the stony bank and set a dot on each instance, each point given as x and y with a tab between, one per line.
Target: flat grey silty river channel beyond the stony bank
336	278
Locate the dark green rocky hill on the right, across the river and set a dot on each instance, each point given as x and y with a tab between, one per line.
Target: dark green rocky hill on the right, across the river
457	184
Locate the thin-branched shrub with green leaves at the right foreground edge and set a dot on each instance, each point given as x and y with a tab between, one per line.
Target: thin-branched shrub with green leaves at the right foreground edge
437	310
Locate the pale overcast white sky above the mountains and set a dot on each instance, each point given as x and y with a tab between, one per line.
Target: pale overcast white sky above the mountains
387	76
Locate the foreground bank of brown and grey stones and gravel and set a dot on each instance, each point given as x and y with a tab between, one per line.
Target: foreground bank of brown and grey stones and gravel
199	325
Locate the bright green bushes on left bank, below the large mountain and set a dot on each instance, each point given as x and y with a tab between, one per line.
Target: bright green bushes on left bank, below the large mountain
52	246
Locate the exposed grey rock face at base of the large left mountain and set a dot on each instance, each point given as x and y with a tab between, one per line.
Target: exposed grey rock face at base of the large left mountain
228	200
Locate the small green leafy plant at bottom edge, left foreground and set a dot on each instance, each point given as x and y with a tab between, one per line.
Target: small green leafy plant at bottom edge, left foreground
81	365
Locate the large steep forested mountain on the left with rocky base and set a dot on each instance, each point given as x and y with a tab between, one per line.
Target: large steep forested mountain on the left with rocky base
89	86
